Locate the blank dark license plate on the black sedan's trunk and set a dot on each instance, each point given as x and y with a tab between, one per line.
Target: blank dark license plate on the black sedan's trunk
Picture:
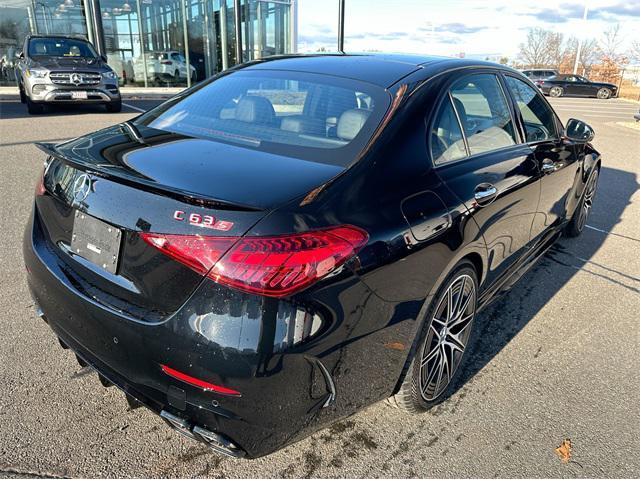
96	241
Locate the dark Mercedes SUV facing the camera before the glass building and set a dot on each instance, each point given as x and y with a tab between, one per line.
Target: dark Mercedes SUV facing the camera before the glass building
54	69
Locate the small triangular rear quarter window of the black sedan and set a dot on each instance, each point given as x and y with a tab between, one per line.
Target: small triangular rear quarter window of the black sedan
447	143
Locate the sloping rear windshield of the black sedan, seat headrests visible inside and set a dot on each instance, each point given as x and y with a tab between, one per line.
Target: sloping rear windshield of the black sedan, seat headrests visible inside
308	116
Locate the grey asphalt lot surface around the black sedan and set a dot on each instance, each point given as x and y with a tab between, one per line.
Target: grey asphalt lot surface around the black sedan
559	357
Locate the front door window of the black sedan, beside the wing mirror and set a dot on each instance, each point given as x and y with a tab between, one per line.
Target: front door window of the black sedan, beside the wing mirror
539	123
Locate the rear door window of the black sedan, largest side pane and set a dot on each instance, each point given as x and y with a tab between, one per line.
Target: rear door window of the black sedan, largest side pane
484	113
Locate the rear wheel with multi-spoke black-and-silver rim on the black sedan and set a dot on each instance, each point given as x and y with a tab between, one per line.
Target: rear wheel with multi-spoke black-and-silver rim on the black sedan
439	335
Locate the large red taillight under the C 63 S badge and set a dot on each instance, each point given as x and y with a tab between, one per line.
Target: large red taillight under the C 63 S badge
270	266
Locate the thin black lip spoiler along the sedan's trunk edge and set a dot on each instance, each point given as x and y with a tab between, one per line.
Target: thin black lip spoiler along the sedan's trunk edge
143	183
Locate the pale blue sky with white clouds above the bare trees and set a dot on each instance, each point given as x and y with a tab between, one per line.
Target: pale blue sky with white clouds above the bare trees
449	27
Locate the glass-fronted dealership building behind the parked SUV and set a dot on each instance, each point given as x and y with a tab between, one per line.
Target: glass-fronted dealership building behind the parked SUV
156	42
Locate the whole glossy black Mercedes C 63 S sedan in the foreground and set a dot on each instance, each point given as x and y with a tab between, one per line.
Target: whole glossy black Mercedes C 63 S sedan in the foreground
300	237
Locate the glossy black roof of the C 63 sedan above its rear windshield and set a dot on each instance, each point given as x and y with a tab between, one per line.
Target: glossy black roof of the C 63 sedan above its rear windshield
382	69
